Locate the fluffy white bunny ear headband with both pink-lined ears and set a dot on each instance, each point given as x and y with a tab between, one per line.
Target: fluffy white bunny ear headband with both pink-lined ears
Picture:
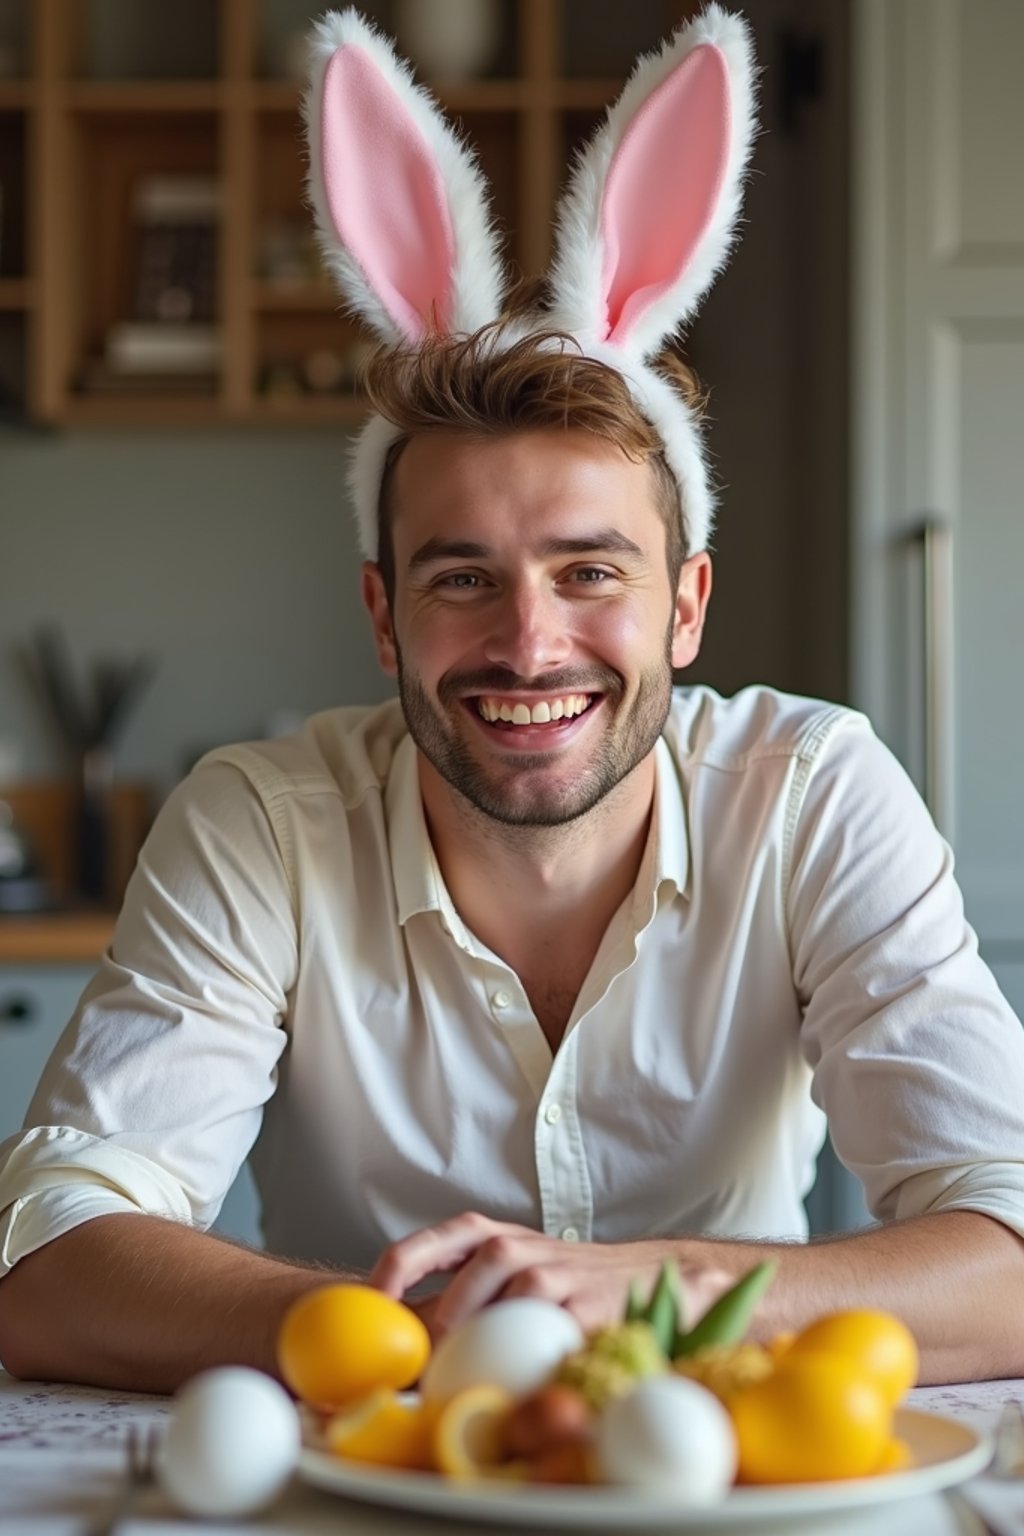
642	233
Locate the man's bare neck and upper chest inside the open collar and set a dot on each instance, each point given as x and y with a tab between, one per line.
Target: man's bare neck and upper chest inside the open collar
532	892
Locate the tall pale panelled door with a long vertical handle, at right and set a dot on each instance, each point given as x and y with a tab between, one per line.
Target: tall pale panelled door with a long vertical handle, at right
939	432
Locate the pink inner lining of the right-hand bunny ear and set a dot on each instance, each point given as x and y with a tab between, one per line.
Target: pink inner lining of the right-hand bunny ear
664	187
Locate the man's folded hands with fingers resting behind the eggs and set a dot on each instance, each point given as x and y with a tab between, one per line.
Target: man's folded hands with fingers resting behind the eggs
497	1260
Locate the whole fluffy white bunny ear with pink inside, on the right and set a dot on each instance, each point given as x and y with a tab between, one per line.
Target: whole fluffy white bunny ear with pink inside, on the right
655	200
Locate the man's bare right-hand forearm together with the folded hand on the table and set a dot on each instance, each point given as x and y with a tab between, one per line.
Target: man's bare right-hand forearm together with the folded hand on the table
953	1276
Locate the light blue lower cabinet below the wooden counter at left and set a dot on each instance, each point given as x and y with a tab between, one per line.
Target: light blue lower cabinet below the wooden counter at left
36	1004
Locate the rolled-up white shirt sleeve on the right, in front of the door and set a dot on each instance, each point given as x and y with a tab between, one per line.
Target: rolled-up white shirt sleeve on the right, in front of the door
917	1058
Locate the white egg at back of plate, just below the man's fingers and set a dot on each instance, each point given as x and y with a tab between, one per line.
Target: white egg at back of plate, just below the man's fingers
512	1345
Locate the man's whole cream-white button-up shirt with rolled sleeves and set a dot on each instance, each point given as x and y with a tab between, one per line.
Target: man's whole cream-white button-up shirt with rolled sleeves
289	967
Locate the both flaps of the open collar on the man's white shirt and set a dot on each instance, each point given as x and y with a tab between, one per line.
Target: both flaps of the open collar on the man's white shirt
418	881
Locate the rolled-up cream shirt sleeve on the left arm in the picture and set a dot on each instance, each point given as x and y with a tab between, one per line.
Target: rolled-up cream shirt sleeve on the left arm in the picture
156	1091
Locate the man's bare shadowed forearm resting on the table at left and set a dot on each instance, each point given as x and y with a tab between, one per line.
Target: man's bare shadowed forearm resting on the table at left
139	1303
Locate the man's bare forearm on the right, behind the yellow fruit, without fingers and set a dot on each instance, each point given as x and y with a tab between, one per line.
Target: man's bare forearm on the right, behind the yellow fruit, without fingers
954	1277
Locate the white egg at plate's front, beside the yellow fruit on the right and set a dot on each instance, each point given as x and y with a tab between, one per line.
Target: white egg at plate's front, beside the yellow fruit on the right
669	1435
